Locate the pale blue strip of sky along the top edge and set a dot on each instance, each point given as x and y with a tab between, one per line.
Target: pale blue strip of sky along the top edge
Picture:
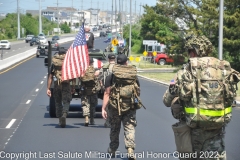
10	6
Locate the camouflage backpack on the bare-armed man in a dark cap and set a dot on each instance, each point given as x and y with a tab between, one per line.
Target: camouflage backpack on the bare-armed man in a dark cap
125	92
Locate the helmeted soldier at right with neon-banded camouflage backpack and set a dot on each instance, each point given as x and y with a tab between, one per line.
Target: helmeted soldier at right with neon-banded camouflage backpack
201	97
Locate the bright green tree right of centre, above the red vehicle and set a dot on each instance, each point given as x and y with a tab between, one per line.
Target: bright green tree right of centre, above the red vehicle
158	23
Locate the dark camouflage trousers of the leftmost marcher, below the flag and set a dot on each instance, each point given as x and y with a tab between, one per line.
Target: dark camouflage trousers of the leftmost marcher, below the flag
62	96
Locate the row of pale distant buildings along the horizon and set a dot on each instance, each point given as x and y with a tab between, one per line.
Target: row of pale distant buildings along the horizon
73	16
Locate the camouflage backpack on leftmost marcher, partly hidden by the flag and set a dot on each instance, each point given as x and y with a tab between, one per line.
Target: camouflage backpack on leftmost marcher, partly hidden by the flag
57	61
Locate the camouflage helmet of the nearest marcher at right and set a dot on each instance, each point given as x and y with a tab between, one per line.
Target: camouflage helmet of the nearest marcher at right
200	44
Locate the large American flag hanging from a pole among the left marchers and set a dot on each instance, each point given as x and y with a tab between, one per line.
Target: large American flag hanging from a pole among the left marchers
77	59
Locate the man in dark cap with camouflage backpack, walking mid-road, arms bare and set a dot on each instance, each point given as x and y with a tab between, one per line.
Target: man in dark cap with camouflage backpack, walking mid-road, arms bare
121	108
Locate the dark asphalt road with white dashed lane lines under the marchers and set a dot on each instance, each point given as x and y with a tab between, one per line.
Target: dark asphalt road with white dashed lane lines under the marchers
27	130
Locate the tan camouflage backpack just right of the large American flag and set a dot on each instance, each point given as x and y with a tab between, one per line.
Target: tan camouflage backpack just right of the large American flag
89	82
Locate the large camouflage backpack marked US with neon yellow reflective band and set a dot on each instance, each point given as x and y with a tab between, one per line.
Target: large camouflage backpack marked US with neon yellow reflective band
207	88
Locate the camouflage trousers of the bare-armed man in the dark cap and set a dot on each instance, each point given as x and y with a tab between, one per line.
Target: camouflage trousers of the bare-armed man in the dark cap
129	123
